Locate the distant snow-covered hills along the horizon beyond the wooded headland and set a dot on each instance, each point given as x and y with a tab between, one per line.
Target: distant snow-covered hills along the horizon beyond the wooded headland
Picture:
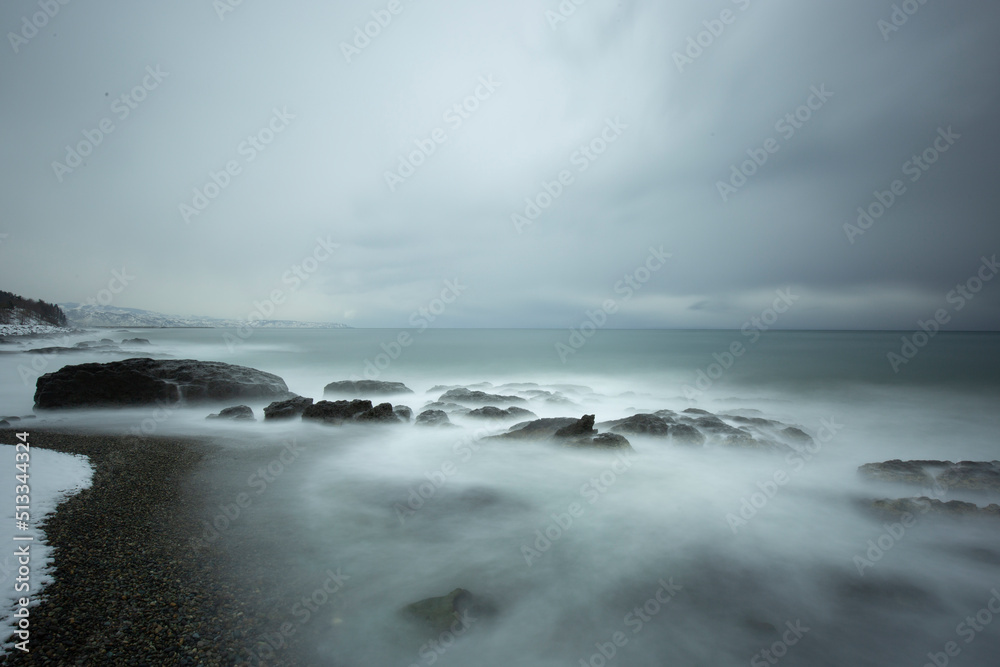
84	315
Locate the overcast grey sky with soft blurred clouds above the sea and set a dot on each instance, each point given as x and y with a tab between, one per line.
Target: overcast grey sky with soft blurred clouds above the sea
184	86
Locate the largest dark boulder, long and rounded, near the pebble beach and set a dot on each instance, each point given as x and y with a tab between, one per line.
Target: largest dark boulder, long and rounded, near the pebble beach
135	382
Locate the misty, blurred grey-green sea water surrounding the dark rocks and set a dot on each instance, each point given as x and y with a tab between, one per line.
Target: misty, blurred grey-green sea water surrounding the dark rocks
667	555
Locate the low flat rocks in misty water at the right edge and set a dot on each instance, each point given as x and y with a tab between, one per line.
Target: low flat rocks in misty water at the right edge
939	477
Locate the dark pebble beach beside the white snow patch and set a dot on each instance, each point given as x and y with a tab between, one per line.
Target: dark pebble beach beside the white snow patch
127	588
